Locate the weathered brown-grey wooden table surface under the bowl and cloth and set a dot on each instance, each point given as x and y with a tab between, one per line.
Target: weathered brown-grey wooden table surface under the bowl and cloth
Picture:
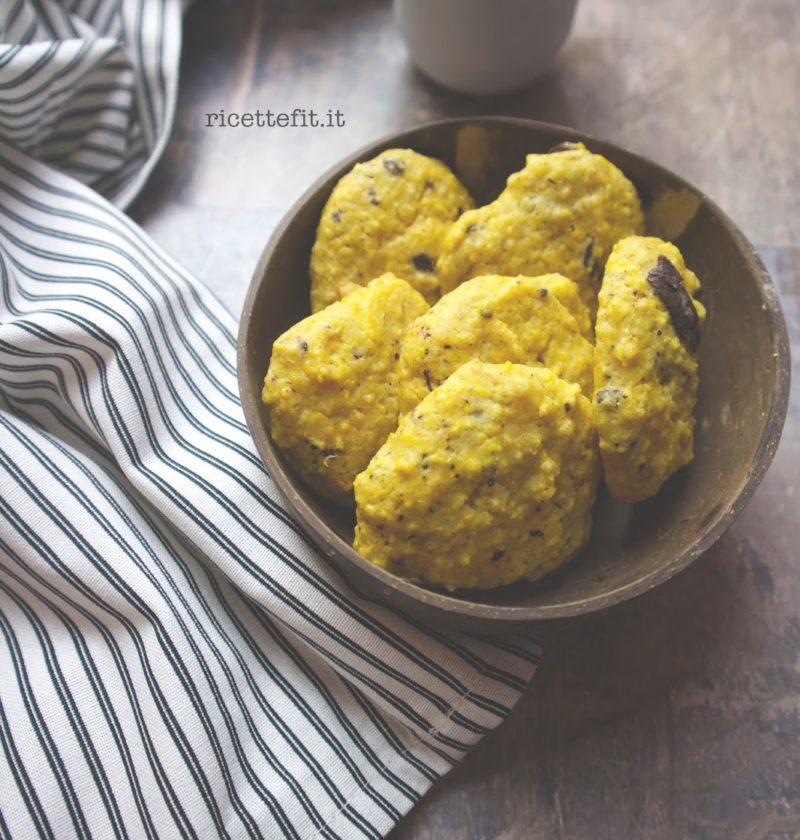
676	715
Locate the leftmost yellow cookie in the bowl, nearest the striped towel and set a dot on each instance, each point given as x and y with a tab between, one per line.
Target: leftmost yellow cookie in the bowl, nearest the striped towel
331	385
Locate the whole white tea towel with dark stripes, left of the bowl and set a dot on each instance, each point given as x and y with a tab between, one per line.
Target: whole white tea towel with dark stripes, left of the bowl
176	659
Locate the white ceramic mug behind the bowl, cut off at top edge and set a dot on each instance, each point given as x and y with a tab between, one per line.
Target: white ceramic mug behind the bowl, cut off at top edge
484	46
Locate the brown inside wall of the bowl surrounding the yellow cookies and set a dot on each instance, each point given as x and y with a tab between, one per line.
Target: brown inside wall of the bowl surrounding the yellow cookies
742	397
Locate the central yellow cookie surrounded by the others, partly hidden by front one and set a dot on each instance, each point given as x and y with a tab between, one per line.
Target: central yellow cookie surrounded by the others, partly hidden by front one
496	319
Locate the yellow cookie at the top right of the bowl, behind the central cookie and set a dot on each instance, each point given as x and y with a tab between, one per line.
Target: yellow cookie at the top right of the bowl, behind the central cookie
562	213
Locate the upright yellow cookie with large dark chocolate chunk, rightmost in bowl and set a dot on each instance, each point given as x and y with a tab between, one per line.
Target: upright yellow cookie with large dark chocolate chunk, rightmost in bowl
646	366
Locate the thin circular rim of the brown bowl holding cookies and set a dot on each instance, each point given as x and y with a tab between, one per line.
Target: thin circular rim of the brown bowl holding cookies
333	545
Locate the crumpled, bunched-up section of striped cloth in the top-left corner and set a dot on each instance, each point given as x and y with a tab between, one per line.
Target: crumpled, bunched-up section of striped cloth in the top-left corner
89	86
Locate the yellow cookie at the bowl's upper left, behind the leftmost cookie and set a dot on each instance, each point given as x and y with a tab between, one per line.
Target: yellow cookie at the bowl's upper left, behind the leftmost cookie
389	214
